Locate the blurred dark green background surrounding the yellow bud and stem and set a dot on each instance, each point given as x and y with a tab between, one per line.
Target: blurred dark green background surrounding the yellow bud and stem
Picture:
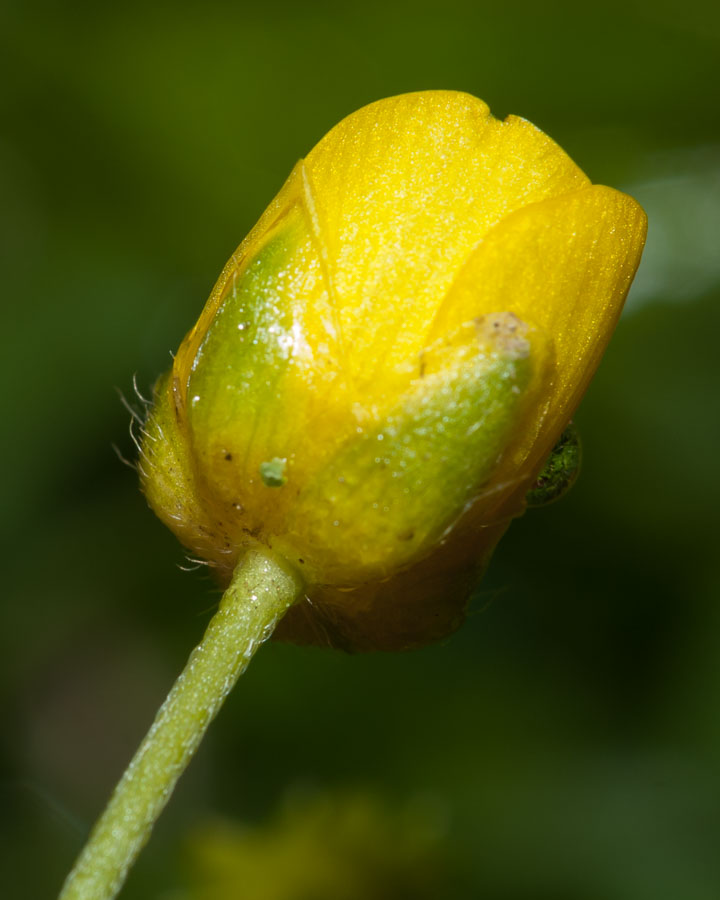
565	743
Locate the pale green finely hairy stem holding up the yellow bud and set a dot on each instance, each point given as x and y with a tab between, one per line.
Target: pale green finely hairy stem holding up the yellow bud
262	589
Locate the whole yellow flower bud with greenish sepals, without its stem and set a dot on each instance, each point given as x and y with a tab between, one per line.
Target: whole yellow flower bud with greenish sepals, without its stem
387	360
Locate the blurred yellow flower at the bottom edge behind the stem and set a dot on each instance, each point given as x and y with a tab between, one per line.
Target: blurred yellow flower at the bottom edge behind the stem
325	846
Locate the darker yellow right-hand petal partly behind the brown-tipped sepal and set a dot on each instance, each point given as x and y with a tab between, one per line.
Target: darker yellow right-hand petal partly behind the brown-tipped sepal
564	266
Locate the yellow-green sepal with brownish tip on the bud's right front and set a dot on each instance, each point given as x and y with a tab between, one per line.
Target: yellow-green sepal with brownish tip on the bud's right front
392	491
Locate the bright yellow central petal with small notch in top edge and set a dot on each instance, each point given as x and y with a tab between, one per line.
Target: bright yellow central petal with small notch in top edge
400	193
